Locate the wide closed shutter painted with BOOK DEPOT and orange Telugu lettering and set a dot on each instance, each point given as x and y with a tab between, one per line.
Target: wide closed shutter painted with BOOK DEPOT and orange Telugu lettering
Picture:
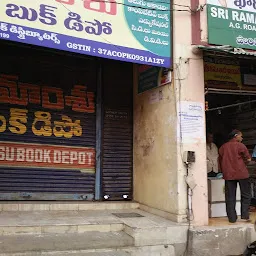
47	126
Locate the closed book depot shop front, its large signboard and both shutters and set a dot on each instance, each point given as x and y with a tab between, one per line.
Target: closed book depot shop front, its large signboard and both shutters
66	98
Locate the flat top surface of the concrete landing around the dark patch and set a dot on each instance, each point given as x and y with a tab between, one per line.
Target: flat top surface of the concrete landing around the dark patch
41	218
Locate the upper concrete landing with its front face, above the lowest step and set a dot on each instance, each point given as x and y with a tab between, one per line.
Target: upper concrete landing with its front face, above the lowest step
145	229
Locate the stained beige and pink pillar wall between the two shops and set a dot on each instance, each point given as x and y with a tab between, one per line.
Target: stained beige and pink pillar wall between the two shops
159	172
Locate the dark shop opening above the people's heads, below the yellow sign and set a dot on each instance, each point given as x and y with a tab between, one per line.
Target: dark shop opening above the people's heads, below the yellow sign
229	110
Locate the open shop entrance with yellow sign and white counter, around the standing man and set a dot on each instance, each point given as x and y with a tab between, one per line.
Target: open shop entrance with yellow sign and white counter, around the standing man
230	95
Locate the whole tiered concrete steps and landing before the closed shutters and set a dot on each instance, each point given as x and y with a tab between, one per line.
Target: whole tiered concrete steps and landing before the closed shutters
75	232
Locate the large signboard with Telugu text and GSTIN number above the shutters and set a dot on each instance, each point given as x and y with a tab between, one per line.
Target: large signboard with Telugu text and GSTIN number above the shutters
128	30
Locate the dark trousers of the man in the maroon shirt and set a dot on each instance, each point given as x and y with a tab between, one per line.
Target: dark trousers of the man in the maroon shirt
230	196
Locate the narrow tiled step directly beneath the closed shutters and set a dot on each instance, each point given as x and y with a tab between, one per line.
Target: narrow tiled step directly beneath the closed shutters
66	206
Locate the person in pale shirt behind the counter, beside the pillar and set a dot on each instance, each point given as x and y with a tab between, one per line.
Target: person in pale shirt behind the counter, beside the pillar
212	156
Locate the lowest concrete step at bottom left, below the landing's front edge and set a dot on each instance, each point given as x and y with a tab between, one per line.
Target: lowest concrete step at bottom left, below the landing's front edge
63	242
